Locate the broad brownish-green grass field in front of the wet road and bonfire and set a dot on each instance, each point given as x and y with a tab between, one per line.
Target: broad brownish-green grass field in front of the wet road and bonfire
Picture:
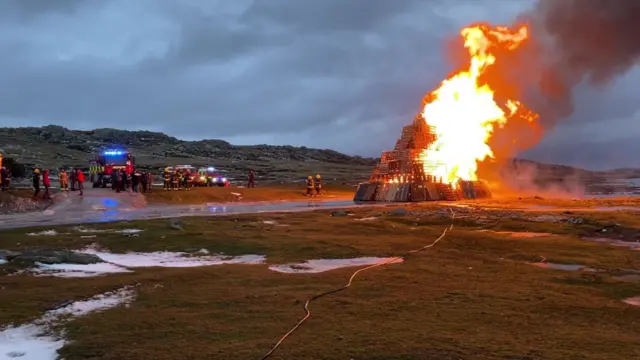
472	296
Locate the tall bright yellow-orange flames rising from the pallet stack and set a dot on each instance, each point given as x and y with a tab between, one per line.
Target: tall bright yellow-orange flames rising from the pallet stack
463	111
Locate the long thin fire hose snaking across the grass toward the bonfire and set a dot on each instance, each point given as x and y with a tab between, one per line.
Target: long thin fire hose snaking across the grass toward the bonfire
353	276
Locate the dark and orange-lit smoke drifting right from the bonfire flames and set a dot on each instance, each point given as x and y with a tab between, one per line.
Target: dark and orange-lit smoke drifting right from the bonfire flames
572	43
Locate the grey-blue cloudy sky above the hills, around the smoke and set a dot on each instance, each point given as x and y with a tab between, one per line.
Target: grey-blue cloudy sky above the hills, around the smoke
341	74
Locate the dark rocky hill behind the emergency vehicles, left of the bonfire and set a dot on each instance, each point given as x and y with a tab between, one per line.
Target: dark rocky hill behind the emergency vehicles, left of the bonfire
55	146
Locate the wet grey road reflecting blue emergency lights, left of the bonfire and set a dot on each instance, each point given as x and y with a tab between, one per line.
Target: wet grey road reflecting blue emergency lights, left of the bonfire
104	205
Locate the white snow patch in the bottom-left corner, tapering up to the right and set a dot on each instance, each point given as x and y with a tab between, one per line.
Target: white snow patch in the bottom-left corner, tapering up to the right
29	342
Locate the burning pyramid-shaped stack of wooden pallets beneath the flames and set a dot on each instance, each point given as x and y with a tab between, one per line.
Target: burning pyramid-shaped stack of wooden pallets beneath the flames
404	174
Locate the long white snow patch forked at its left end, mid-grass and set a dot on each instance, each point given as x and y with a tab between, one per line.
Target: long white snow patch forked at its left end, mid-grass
121	263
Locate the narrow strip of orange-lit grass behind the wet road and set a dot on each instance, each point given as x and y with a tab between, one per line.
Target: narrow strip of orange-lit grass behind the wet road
263	193
